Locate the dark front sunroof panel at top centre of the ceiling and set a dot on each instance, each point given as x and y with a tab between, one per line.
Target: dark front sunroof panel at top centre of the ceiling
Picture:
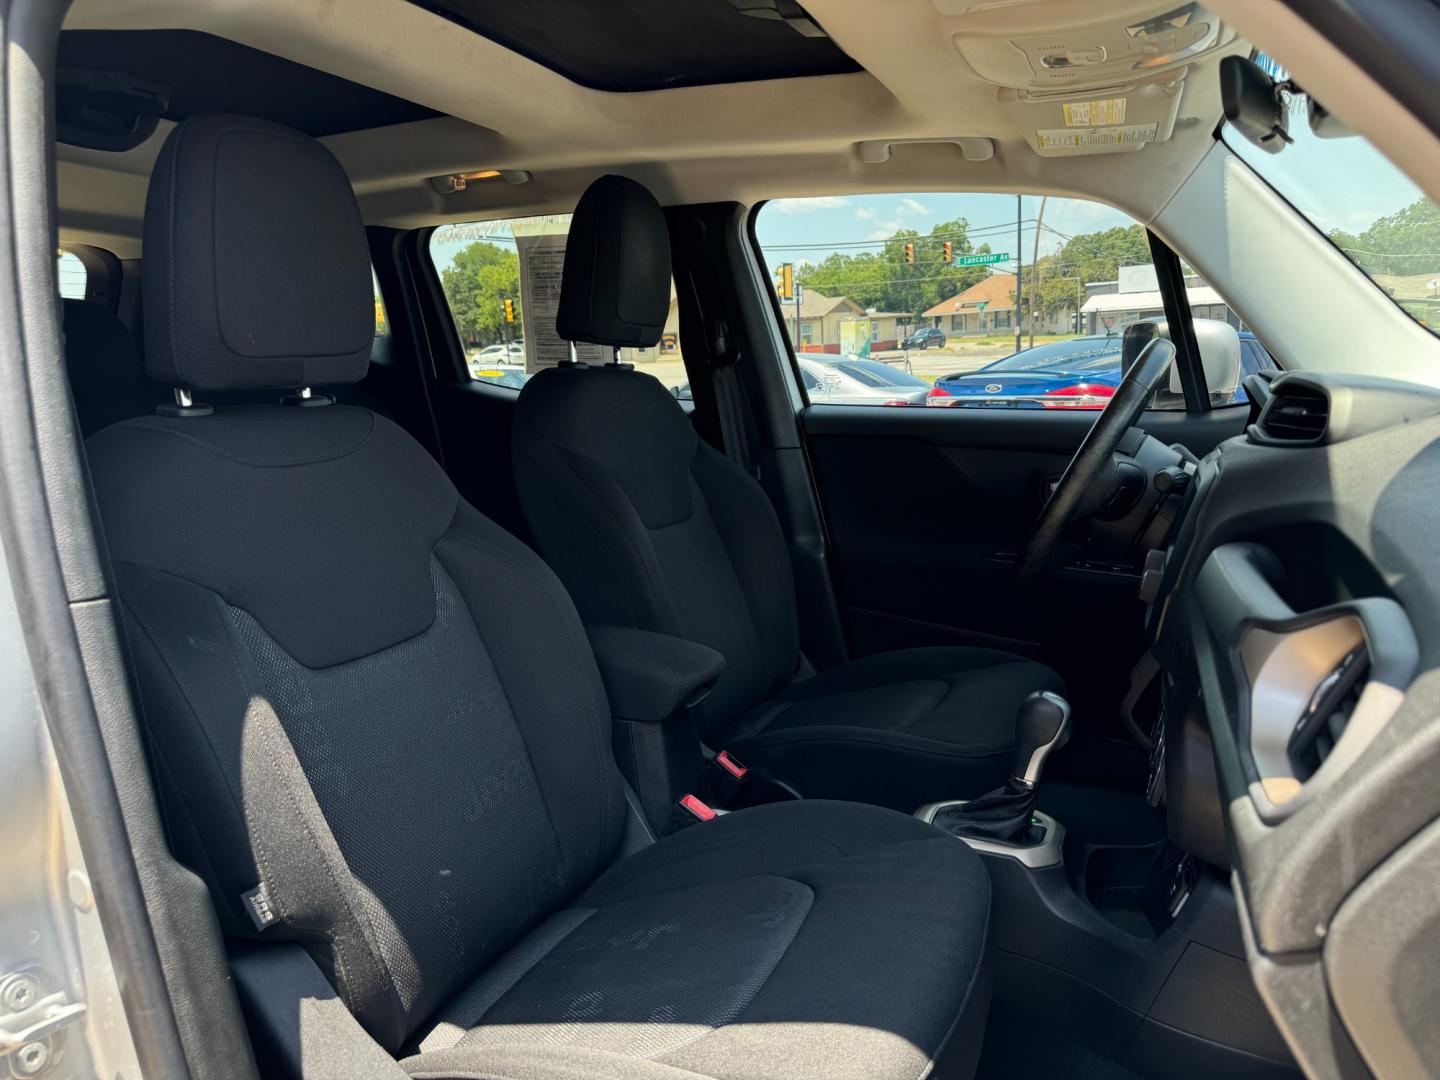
642	45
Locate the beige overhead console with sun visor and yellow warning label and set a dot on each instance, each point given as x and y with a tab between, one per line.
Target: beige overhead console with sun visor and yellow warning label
1089	78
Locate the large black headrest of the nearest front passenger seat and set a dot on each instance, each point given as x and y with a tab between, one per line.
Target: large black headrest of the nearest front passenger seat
257	266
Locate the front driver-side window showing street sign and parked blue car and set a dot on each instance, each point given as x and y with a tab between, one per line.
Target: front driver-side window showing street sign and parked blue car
967	300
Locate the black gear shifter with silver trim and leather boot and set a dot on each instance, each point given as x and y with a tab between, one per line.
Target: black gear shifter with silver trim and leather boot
1004	814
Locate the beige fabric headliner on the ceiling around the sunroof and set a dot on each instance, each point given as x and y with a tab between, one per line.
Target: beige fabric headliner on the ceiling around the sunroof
741	142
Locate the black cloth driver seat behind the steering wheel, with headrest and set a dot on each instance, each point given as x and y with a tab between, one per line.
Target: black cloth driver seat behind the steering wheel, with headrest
652	528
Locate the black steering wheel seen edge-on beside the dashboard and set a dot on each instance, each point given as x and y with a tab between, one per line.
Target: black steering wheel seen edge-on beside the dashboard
1071	498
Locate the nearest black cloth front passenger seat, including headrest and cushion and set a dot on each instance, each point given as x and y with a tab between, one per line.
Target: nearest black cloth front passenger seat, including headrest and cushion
379	729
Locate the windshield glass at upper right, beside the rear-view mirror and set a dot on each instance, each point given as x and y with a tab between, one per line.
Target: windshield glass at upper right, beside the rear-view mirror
1360	202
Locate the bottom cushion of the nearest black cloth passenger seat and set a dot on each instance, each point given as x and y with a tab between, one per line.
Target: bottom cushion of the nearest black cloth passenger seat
761	938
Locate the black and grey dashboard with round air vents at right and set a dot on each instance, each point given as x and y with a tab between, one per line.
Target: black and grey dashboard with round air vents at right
1297	627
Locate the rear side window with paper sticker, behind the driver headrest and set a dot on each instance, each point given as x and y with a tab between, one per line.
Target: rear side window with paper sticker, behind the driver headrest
502	282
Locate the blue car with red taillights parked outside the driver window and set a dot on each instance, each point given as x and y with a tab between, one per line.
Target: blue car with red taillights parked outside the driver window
1079	374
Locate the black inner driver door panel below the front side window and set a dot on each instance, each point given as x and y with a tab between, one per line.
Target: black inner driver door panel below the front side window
924	509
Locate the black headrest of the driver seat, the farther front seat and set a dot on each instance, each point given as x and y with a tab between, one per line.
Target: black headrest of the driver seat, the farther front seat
616	290
